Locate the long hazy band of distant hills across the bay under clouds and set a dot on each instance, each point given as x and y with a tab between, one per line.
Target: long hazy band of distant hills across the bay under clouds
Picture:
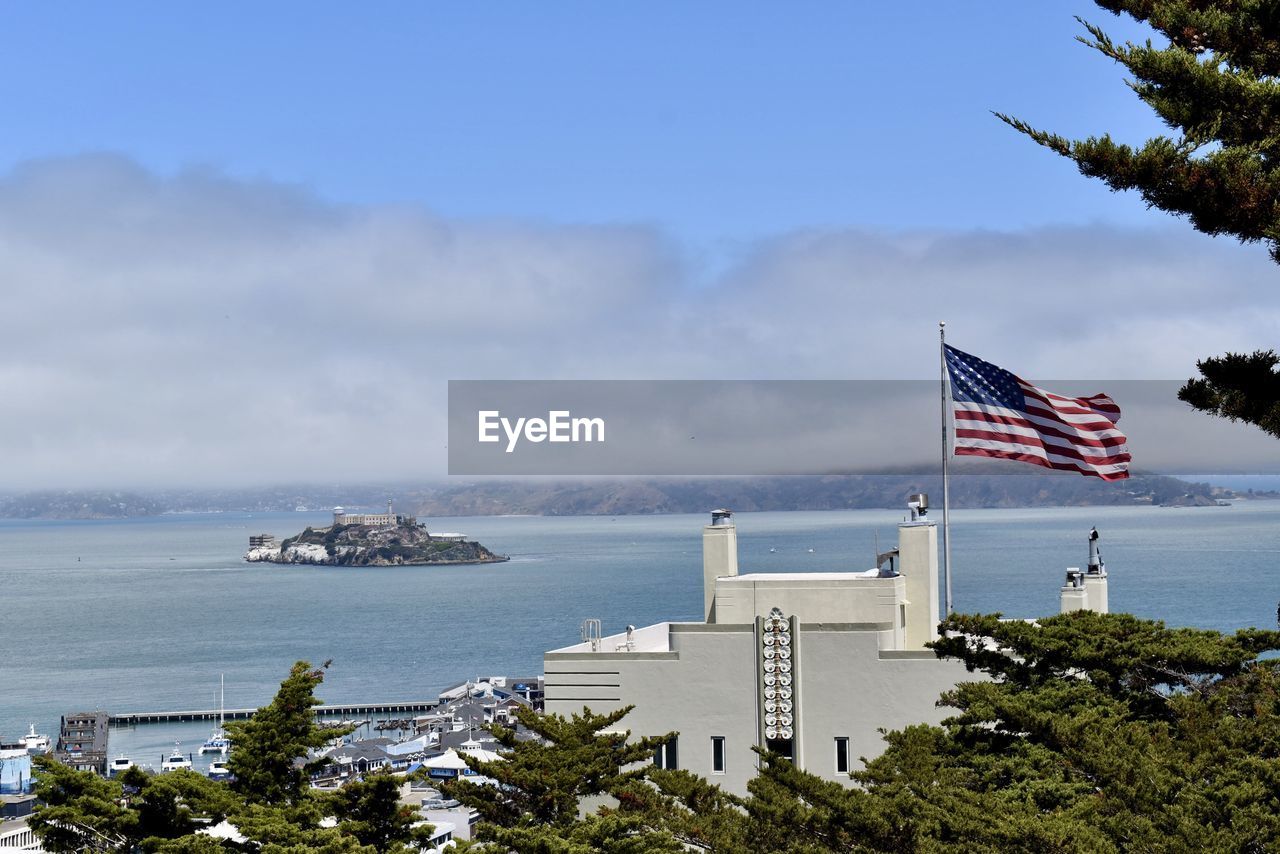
615	497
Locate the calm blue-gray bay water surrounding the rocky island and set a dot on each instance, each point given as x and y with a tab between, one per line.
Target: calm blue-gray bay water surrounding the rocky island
145	614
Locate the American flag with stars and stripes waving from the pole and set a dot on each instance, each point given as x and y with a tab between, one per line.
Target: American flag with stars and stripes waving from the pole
1000	415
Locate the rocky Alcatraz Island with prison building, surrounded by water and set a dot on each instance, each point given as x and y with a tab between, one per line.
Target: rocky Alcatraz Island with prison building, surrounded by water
371	540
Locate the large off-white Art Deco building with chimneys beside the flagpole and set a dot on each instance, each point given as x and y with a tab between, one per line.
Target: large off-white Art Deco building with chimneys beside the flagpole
811	665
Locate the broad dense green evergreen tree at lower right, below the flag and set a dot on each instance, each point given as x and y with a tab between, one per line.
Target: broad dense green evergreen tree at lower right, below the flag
1095	733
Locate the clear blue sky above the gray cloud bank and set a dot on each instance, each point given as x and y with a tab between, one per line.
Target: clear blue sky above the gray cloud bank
720	122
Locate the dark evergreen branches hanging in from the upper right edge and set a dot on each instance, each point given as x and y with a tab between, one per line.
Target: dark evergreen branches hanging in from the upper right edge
1215	84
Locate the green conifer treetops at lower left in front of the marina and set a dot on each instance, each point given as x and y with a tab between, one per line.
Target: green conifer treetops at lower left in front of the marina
271	803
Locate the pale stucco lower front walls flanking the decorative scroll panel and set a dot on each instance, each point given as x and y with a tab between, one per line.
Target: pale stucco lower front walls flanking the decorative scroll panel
706	686
